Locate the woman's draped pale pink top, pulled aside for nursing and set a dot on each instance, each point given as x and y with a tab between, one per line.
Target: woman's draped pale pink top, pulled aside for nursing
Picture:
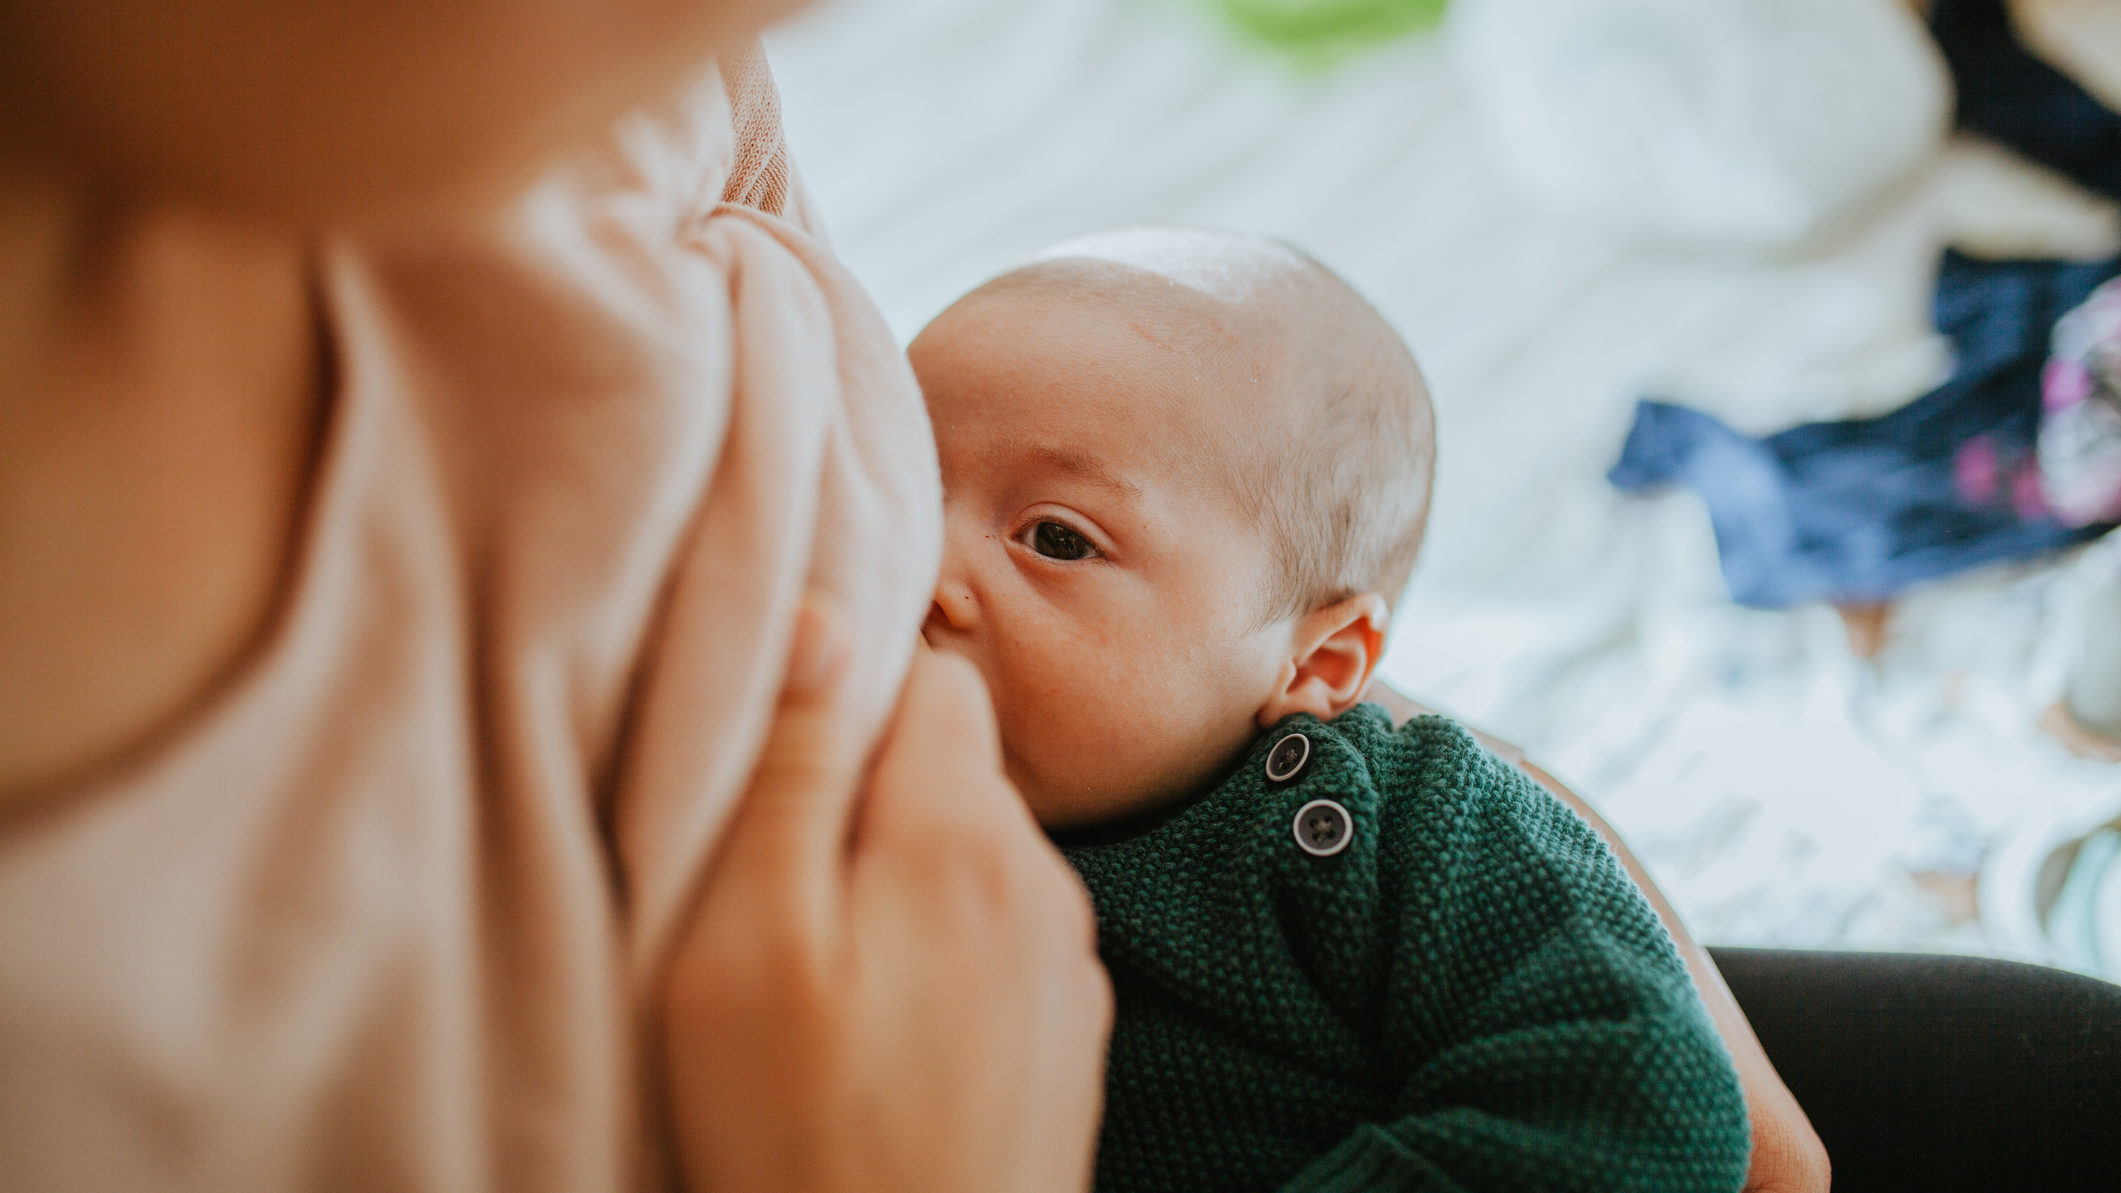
387	910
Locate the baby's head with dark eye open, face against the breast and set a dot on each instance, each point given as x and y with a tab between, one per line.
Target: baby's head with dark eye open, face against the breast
1185	481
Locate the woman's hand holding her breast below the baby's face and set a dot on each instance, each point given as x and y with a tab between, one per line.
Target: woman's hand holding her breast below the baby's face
892	986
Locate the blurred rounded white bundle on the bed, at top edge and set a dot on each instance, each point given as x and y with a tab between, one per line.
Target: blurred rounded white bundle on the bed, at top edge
1711	122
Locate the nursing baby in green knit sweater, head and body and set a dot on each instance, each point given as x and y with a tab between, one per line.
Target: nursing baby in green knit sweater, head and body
1185	479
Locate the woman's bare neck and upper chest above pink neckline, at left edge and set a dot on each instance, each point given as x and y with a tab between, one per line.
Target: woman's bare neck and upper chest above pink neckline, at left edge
160	398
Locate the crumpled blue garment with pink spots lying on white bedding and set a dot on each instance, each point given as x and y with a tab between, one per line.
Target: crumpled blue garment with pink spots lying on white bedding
1872	508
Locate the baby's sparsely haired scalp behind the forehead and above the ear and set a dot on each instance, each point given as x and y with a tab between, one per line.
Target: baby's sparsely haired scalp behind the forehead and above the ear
1320	419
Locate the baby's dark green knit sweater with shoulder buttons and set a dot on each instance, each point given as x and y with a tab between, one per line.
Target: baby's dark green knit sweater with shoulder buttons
1467	995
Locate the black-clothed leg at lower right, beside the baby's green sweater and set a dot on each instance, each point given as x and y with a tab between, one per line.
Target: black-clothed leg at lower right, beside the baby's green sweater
1944	1075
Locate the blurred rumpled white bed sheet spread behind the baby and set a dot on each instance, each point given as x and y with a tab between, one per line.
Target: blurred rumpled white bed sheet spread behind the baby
1783	789
